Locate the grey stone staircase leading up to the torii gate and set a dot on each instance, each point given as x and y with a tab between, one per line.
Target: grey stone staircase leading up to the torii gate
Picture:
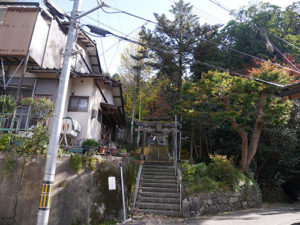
158	192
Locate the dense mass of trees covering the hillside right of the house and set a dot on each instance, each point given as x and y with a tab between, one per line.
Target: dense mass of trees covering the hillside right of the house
239	117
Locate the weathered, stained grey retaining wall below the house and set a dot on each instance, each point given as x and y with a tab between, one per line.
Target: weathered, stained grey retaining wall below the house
80	198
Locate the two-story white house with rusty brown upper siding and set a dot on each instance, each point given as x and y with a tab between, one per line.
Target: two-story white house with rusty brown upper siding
32	44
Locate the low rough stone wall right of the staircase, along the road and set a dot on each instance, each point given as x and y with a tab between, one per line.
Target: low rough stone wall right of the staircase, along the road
213	203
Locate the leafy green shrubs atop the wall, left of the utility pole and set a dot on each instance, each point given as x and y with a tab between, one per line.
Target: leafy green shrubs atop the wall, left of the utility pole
35	139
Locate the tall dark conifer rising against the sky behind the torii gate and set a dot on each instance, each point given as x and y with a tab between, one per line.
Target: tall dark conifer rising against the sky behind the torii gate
172	44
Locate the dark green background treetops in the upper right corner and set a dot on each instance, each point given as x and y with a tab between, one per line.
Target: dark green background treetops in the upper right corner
253	31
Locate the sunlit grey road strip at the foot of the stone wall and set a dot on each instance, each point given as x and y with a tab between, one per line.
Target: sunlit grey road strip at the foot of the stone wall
275	214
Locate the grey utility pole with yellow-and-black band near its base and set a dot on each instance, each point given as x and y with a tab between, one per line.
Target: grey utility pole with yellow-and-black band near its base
44	209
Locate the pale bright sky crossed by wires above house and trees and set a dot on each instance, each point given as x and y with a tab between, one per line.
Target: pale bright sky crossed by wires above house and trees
110	48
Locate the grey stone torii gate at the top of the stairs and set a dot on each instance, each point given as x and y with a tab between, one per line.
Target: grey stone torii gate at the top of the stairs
152	127
